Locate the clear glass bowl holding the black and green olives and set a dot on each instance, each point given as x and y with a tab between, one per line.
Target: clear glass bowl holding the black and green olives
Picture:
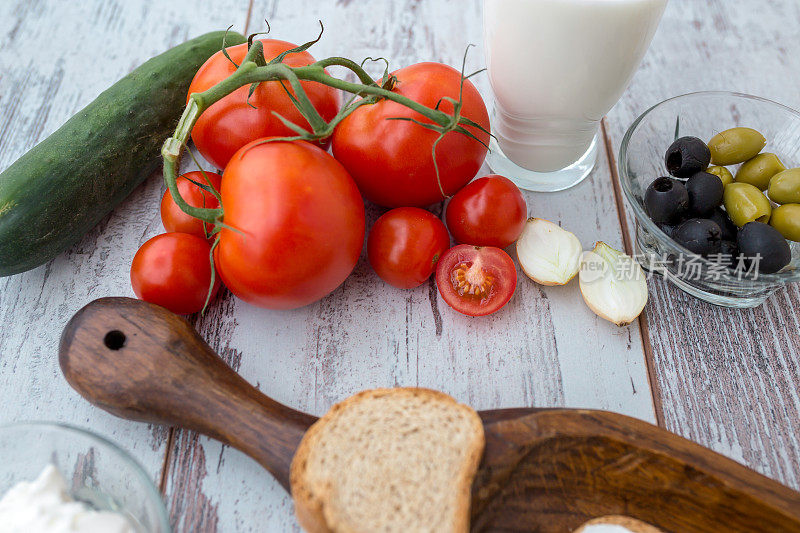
641	160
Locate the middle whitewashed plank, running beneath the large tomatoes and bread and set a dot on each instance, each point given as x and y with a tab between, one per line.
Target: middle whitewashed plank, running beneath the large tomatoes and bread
545	348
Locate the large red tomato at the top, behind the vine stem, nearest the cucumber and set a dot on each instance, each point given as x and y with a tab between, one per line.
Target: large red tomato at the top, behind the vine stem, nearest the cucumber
230	123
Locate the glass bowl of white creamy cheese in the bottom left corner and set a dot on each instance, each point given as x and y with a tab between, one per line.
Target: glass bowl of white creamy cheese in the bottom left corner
59	478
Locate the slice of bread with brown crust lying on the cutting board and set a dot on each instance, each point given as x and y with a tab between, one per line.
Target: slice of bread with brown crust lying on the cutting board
388	460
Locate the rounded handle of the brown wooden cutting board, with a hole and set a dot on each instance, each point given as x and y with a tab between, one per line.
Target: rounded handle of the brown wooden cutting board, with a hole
141	362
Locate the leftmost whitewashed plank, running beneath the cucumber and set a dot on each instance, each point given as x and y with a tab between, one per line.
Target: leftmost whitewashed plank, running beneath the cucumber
55	57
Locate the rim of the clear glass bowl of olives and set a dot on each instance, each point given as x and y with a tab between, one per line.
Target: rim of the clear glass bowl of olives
652	227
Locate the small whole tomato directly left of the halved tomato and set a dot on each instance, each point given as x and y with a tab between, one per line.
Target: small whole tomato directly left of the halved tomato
405	244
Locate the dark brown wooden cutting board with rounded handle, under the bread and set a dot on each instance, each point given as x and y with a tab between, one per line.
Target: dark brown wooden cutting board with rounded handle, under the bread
545	470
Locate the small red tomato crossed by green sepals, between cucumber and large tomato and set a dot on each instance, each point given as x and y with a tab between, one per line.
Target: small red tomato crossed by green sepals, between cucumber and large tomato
176	220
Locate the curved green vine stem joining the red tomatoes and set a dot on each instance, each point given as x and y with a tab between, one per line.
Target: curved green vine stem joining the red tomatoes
254	69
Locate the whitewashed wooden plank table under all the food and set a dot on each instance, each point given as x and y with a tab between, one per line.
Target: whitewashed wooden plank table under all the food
727	379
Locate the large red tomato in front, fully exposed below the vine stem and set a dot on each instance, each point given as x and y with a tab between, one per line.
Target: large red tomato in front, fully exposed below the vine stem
295	224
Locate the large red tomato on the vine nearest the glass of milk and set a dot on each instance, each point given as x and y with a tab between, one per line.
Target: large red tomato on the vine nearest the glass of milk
391	160
